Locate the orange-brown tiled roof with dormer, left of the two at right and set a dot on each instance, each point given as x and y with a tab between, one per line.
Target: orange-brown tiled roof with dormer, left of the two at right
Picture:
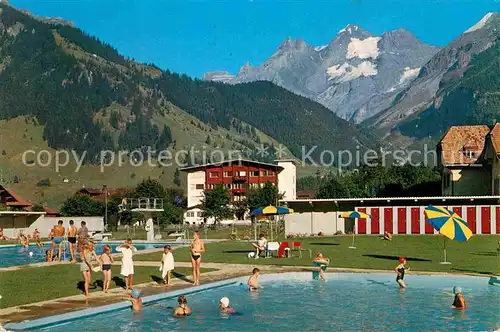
460	138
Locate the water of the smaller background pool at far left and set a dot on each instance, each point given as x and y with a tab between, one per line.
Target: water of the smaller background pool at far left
18	255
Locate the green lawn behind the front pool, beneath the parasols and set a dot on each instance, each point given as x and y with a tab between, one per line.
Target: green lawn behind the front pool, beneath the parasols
478	255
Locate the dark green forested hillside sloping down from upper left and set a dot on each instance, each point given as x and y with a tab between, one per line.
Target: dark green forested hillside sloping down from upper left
69	82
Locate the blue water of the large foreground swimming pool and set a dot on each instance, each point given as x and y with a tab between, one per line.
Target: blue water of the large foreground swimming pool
295	302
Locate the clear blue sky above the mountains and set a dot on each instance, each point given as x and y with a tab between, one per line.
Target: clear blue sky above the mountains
197	36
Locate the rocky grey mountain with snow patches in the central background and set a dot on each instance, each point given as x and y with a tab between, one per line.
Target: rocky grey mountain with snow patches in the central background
358	74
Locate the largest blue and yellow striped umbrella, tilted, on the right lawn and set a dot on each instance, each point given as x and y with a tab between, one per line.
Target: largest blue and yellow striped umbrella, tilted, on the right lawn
448	223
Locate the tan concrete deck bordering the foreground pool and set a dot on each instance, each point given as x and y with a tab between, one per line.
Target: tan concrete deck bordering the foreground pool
223	272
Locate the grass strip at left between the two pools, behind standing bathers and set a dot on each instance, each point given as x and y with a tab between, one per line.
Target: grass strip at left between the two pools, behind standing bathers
29	285
